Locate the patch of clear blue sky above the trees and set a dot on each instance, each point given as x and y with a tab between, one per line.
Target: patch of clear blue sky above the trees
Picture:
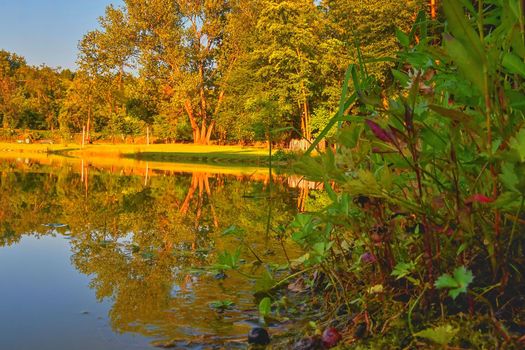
48	31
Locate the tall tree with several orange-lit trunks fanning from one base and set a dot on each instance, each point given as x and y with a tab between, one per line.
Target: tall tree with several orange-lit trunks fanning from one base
179	43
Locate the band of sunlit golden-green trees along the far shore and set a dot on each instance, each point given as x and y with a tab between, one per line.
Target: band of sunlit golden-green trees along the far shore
211	70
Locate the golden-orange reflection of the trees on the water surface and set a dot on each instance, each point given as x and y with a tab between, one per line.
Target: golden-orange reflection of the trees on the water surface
140	234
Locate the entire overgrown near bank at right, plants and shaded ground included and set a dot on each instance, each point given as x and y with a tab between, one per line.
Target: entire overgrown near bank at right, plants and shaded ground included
422	244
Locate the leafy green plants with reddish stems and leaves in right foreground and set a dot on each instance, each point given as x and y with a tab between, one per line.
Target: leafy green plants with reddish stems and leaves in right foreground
427	170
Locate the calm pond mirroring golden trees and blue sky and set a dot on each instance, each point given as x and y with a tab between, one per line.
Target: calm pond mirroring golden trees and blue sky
114	255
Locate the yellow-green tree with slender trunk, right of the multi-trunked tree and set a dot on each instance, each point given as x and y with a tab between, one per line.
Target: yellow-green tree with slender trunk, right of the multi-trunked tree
287	55
